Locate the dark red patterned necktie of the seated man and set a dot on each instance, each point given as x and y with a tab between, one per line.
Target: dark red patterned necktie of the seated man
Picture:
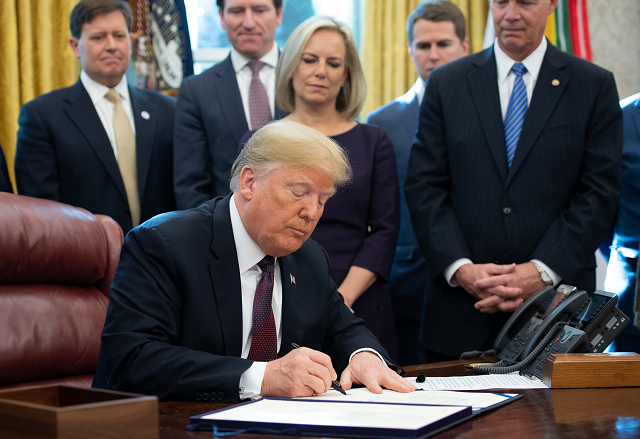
263	331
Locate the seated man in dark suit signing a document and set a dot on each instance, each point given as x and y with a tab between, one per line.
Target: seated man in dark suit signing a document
207	303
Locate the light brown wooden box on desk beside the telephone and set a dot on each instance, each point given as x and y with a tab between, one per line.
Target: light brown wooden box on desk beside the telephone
577	371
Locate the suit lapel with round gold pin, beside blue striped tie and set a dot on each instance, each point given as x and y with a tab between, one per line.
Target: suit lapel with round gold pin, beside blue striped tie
543	103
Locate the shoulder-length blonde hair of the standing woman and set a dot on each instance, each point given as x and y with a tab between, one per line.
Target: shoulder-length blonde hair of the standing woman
352	94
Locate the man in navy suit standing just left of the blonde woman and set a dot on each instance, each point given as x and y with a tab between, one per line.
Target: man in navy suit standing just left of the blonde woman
214	112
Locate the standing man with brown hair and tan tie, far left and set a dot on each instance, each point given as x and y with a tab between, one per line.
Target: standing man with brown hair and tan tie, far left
68	147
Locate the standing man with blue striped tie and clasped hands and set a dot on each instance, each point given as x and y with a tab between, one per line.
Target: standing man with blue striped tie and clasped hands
496	225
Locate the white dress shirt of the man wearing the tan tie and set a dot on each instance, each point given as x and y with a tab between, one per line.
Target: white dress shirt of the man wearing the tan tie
104	107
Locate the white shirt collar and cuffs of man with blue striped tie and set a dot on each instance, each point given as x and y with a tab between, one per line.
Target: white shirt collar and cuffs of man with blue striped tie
506	78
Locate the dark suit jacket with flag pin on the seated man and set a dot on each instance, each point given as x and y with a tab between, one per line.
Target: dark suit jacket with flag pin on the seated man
174	322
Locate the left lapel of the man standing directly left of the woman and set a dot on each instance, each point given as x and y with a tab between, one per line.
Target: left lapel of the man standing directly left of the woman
226	85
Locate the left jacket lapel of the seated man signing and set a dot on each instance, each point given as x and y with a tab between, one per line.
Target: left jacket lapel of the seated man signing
226	288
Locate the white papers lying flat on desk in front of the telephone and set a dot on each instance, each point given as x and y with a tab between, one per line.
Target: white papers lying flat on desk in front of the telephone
480	382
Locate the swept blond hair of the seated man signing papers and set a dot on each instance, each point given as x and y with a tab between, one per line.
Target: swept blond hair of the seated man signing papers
293	145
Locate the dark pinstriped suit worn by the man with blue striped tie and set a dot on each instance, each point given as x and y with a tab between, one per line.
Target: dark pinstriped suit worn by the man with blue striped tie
554	204
